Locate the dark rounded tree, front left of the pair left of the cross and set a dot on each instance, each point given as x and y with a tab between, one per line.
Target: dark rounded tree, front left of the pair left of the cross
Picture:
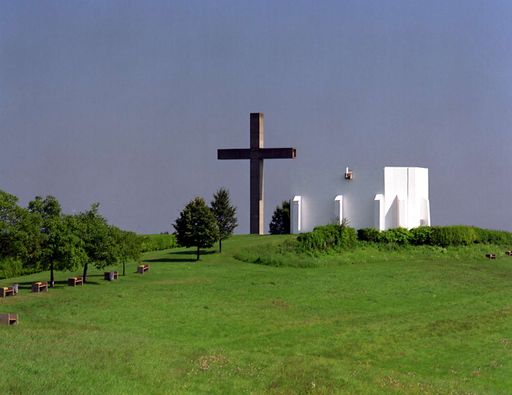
196	226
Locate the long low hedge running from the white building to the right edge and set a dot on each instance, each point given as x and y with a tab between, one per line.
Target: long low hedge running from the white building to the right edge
442	236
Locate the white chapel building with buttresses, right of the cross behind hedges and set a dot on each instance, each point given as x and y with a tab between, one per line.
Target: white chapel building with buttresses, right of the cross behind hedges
380	198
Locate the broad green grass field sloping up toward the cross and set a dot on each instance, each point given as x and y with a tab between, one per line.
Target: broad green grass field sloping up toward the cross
372	320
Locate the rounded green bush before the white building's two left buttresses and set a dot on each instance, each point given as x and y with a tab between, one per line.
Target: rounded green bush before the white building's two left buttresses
328	237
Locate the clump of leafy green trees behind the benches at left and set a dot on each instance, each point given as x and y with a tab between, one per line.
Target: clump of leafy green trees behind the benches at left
41	237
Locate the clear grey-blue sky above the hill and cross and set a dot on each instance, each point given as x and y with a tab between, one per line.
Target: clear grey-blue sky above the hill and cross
126	102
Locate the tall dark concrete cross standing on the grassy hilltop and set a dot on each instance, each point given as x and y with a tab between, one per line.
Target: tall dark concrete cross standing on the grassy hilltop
256	153
